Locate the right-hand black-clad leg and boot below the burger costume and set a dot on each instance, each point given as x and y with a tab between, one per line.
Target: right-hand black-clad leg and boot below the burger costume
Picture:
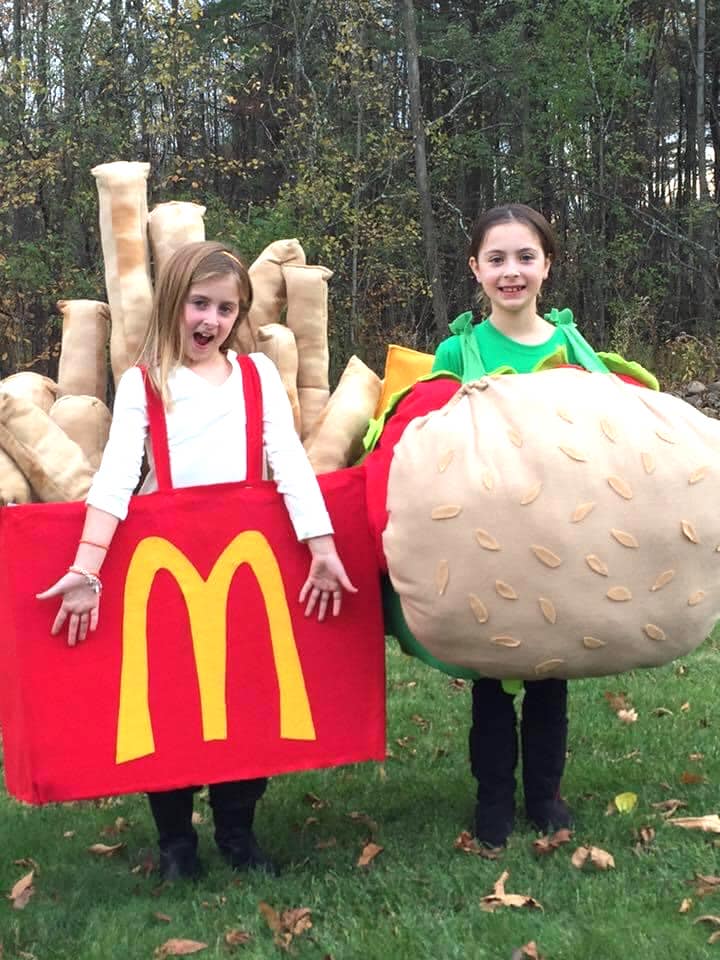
544	742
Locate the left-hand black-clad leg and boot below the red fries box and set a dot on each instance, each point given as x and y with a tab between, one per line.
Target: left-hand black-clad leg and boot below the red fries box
172	812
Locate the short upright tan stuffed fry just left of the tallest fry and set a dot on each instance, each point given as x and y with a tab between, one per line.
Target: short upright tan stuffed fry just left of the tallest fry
83	354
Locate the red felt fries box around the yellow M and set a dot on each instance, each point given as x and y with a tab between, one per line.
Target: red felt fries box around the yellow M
59	705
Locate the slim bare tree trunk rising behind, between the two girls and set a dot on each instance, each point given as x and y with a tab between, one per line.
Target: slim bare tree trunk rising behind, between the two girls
432	257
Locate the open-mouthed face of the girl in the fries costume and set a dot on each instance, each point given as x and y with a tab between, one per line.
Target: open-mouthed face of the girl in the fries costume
210	310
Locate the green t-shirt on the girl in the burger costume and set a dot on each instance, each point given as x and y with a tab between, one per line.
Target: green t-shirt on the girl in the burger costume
497	350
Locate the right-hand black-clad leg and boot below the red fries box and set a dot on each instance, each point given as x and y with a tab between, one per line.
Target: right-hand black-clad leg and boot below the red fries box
233	806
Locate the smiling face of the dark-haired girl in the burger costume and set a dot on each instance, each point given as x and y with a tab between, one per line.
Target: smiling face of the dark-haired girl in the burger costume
511	265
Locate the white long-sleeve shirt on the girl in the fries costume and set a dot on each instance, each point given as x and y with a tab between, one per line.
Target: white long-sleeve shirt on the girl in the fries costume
207	441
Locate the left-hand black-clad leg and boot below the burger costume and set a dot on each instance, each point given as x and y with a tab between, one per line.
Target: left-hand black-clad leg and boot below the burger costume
493	758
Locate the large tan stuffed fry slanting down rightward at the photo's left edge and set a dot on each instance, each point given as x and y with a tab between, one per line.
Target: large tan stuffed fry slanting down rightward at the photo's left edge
53	464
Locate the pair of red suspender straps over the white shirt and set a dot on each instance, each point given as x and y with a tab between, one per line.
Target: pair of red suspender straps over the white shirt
252	392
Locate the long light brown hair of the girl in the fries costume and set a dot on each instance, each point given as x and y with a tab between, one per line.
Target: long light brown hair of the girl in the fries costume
163	349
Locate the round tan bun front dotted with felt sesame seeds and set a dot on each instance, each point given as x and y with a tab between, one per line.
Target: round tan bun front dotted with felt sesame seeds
557	524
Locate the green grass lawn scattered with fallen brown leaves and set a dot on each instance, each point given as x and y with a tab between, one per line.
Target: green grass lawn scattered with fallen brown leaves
420	897
